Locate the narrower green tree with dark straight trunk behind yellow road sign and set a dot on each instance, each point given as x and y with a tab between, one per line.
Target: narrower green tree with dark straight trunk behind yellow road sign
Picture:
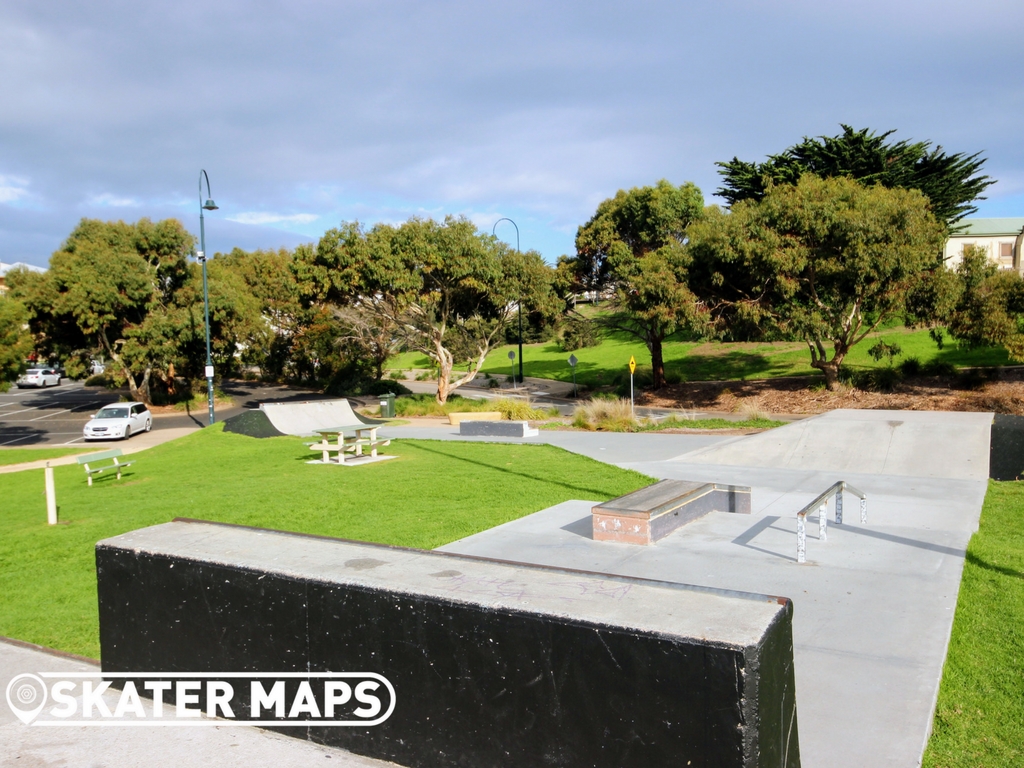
634	245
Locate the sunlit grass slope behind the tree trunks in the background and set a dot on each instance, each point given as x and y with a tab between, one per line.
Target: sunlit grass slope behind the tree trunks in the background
710	361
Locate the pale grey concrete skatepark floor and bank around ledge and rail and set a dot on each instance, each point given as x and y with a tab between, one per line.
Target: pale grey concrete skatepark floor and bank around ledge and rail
873	607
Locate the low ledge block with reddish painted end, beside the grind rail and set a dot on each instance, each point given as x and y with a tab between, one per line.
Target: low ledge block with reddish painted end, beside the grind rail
654	513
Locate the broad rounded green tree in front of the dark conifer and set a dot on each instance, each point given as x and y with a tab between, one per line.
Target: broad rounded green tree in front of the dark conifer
824	261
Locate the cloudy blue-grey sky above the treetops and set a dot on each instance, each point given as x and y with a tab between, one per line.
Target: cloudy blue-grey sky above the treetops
306	115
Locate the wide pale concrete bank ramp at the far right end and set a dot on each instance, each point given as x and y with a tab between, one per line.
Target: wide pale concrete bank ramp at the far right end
914	444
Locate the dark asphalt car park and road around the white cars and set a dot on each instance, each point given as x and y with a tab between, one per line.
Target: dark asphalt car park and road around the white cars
56	416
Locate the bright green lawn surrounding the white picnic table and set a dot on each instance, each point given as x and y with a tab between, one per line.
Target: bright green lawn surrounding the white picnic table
436	493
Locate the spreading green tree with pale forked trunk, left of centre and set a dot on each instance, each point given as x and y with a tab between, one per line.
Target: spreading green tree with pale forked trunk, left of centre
444	287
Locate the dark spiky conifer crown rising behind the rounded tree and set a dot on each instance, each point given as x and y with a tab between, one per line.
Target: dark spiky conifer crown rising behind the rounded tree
952	183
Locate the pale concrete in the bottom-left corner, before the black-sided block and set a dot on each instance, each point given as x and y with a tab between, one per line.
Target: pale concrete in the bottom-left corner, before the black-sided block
231	747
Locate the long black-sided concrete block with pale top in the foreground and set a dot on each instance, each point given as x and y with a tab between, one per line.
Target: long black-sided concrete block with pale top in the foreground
492	663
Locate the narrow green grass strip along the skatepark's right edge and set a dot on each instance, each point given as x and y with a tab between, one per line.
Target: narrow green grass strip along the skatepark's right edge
979	720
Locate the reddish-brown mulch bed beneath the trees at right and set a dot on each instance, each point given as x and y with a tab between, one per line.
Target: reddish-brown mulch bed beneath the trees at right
1004	395
